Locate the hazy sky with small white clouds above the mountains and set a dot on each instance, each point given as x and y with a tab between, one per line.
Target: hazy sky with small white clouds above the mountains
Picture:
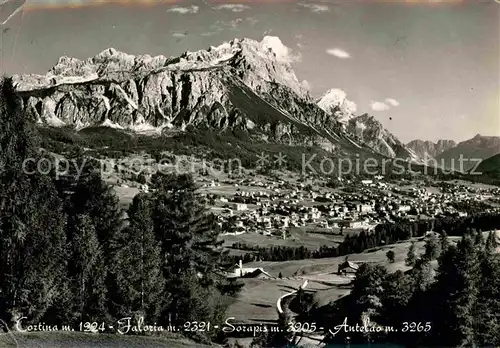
426	69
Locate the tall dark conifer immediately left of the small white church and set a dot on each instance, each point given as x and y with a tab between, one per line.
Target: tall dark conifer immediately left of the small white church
190	250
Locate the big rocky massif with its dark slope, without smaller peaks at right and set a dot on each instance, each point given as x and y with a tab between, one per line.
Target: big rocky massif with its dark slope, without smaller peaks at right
229	86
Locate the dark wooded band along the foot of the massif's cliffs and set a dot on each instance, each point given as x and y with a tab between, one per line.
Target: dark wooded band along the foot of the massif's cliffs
115	143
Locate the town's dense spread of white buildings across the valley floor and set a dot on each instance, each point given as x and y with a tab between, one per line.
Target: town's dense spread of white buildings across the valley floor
269	207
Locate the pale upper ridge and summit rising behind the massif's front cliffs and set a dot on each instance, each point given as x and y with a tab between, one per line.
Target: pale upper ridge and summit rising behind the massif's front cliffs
256	63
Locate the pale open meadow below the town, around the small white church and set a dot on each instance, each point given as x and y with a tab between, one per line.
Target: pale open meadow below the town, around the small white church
257	301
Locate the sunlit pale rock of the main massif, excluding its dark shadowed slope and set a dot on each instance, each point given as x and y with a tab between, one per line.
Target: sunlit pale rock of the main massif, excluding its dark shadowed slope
143	91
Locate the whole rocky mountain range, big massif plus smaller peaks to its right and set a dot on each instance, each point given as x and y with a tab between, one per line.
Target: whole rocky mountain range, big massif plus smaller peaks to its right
239	86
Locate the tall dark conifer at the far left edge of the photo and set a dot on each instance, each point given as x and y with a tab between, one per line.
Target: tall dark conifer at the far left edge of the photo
32	239
